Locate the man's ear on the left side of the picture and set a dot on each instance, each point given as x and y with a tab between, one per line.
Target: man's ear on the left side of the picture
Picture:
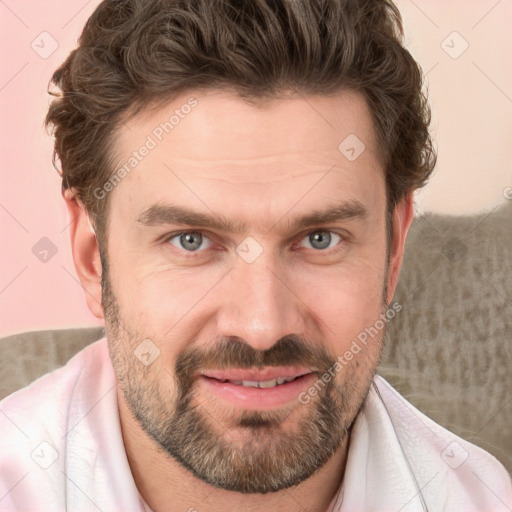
86	255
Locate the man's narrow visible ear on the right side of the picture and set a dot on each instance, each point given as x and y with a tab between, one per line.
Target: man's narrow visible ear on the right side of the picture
403	215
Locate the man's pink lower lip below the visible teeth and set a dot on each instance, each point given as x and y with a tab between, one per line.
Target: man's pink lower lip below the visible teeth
258	398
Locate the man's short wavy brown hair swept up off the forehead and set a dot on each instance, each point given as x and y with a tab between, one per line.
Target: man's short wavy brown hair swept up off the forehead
133	53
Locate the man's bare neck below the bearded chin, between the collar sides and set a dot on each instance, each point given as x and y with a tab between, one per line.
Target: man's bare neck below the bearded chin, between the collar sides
162	481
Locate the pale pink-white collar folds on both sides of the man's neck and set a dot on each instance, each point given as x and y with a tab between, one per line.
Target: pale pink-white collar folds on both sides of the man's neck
377	475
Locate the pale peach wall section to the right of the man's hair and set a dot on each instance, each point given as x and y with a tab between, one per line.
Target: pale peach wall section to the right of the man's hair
471	97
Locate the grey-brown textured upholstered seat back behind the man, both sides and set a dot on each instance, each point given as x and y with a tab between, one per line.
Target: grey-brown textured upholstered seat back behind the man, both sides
448	351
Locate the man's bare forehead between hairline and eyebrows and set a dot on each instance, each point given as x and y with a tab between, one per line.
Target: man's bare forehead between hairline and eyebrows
208	147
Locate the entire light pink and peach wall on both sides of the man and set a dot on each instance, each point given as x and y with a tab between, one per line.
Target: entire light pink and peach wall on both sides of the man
471	96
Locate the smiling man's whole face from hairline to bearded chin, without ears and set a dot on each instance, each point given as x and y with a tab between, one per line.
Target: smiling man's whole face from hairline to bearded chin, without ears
219	311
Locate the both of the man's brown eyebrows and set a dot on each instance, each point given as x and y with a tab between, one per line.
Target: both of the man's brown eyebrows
163	214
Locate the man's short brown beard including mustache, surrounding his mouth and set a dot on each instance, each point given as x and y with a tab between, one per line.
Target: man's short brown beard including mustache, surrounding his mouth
246	451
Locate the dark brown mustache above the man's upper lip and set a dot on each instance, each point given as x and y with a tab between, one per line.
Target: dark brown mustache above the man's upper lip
232	352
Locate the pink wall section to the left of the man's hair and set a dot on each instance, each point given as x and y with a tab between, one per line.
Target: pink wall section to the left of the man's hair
34	294
